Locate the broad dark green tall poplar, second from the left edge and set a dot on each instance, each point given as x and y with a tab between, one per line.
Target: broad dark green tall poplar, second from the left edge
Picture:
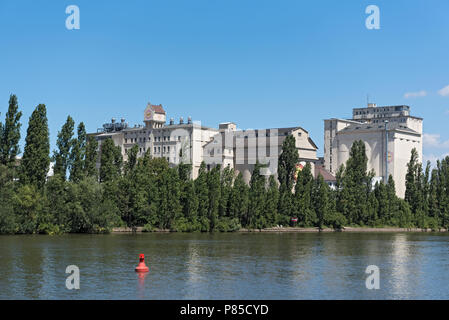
36	160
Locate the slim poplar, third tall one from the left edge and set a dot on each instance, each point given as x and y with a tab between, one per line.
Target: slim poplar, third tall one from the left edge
64	143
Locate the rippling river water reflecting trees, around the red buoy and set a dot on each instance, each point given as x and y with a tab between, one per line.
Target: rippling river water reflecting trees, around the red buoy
226	266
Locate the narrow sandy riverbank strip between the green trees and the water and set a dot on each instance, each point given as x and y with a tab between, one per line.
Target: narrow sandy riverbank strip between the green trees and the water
294	229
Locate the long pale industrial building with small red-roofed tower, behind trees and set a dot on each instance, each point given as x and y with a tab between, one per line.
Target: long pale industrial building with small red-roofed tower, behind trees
193	143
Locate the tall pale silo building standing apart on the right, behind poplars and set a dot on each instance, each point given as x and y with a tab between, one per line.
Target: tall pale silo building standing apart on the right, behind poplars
389	133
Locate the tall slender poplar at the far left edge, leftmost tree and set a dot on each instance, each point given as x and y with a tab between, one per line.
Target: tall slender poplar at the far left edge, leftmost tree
10	134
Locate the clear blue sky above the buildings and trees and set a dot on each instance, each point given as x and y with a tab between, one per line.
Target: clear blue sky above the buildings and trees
258	63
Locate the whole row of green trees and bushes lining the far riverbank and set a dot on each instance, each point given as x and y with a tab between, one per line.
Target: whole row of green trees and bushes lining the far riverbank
148	192
